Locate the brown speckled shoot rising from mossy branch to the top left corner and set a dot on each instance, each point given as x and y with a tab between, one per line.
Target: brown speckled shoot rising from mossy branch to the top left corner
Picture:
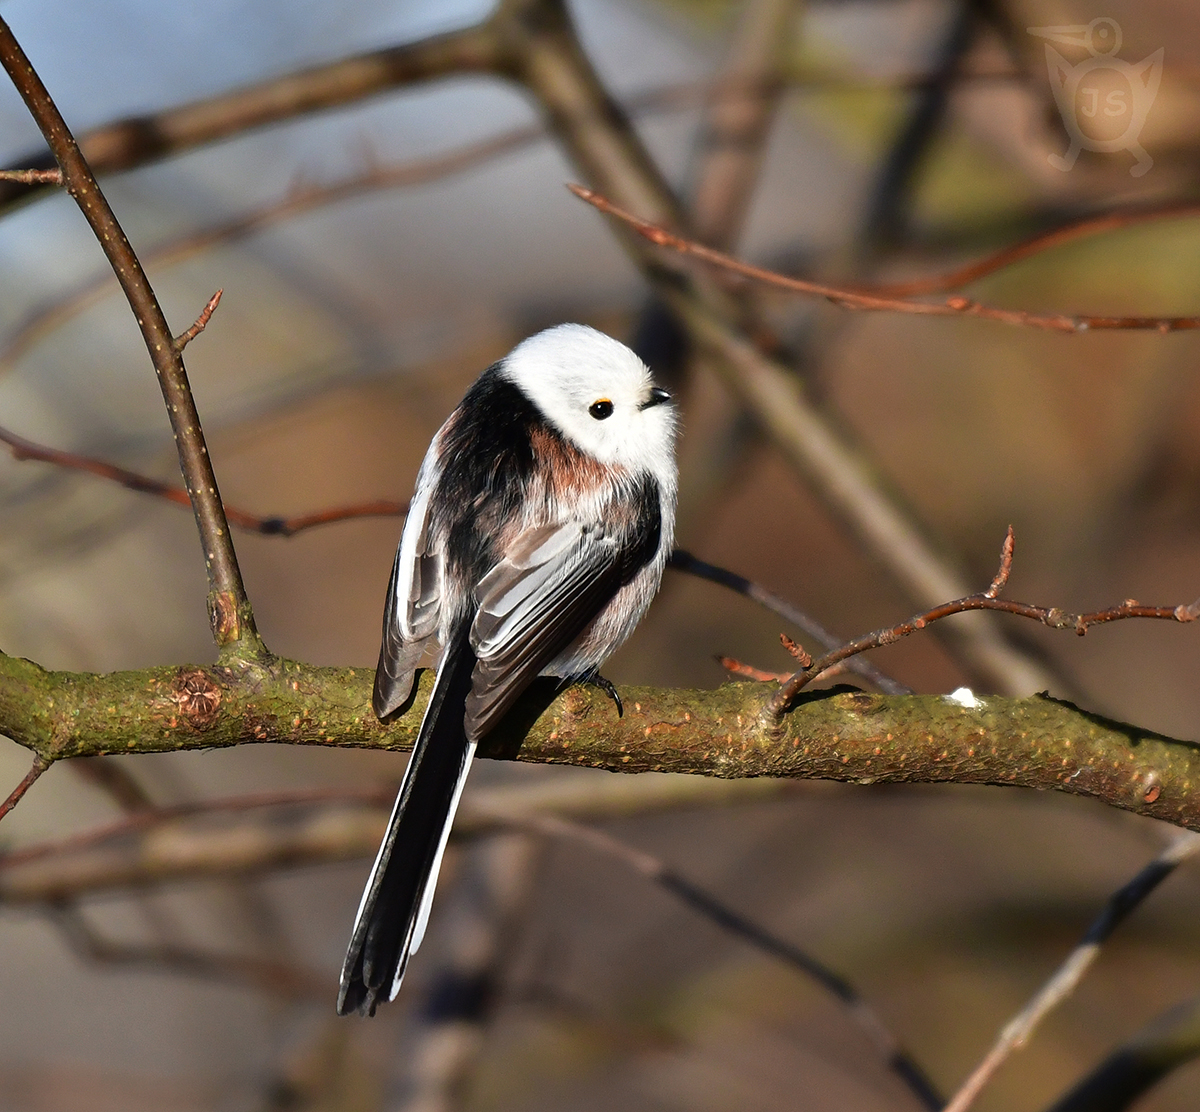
230	610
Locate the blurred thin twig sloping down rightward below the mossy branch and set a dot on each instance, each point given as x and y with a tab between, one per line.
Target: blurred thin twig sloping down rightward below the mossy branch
895	1055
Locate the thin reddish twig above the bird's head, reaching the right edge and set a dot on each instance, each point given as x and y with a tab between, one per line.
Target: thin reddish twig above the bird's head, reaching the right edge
854	298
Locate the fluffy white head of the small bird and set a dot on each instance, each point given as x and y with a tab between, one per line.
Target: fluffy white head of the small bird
599	395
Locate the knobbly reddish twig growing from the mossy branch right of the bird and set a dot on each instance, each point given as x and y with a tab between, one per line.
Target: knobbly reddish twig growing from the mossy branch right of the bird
1049	616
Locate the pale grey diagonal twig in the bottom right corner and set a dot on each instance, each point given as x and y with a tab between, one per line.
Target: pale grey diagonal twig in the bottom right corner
1124	903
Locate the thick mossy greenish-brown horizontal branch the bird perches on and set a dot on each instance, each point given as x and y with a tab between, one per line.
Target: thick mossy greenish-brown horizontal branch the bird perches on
848	736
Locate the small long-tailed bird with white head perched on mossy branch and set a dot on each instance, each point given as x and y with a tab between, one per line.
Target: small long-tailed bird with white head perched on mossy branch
537	538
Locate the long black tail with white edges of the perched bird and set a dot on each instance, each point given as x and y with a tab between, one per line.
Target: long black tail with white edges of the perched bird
398	899
